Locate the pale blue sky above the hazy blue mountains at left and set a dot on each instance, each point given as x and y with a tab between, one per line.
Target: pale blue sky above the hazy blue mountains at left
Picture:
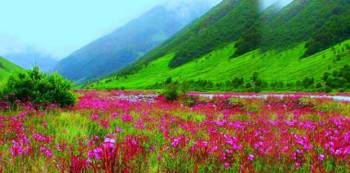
58	27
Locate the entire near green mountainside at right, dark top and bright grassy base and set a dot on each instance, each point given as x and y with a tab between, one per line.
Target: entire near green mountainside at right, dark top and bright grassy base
238	38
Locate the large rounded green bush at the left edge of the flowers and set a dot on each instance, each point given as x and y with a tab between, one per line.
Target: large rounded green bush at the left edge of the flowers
38	88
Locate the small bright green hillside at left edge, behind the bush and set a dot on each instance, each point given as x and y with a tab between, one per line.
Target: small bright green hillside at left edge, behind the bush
6	69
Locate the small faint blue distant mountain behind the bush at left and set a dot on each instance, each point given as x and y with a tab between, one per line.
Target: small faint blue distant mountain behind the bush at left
29	58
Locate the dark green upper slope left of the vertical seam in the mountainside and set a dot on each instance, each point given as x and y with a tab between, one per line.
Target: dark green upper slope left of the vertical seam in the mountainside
212	30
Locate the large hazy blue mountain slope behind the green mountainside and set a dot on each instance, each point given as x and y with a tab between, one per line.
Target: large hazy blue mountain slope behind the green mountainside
120	48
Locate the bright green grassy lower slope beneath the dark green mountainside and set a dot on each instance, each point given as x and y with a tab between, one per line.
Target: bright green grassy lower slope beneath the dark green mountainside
218	66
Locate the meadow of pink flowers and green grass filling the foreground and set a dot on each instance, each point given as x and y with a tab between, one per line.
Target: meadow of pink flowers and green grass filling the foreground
105	132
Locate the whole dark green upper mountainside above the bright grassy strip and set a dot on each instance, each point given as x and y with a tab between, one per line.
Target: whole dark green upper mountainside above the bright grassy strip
318	23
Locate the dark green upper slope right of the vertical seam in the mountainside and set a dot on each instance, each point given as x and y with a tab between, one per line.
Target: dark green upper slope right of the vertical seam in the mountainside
303	20
